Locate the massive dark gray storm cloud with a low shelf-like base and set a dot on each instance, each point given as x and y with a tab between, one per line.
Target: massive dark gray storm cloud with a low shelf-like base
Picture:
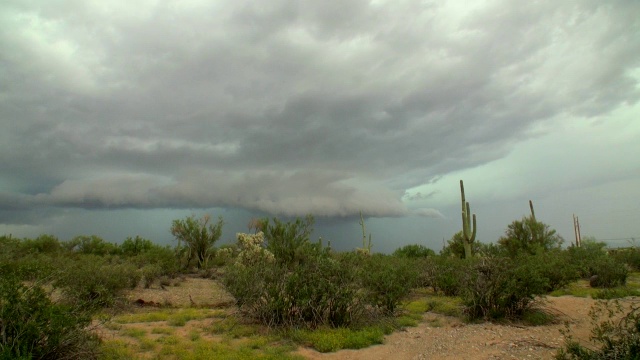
287	107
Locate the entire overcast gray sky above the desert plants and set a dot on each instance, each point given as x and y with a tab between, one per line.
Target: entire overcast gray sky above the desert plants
117	117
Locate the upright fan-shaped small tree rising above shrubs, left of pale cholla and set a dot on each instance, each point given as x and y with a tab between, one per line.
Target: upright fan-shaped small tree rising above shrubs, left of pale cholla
199	236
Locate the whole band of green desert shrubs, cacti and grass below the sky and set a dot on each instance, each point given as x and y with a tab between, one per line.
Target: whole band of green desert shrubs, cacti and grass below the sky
290	290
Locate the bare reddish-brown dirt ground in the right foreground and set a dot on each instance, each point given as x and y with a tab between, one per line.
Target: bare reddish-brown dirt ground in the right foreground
456	340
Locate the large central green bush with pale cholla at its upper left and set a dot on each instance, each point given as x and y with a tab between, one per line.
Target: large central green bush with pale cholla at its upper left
320	290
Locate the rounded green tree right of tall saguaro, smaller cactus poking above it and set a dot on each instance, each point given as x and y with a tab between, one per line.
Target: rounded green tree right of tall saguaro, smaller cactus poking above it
529	236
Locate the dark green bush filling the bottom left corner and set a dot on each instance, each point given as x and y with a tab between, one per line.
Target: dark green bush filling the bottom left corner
33	327
